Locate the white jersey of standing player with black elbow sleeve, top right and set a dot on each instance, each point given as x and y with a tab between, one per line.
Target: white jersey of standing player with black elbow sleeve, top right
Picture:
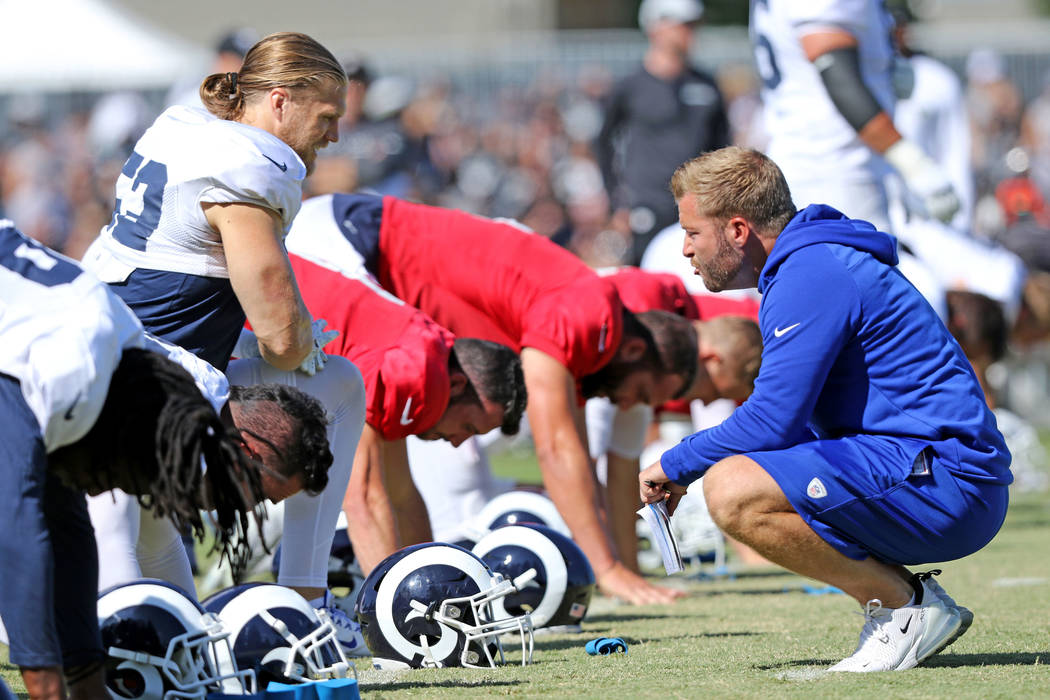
807	134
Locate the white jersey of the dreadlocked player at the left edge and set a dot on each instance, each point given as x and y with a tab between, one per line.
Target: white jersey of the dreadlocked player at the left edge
64	335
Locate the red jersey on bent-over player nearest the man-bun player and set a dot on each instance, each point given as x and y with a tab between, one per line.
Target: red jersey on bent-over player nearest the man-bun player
402	353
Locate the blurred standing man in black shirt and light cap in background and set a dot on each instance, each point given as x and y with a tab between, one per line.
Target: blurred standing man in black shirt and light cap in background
657	119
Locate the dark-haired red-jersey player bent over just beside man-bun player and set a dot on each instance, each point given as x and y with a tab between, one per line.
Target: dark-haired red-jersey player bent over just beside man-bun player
421	380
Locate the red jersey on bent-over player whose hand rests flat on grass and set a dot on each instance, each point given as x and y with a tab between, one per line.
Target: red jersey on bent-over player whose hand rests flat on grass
485	279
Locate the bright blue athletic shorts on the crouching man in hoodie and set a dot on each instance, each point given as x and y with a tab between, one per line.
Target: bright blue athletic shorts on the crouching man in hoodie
891	499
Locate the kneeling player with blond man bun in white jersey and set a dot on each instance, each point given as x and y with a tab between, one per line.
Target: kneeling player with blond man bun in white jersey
196	248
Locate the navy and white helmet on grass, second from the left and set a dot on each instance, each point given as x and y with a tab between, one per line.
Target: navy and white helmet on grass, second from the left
278	634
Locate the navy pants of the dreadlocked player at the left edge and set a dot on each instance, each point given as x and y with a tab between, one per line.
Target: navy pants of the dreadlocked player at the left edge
49	562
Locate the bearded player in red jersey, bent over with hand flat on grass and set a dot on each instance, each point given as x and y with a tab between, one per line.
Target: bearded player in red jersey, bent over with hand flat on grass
490	280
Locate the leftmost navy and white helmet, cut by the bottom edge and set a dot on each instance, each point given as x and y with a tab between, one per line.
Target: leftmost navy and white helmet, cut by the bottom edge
161	645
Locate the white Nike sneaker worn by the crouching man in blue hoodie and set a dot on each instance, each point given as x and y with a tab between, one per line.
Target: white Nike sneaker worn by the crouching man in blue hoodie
901	639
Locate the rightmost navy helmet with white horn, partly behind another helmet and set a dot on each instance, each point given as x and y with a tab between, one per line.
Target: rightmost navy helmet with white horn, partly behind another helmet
560	593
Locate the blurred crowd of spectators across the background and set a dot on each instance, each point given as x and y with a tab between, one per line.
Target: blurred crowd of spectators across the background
514	132
